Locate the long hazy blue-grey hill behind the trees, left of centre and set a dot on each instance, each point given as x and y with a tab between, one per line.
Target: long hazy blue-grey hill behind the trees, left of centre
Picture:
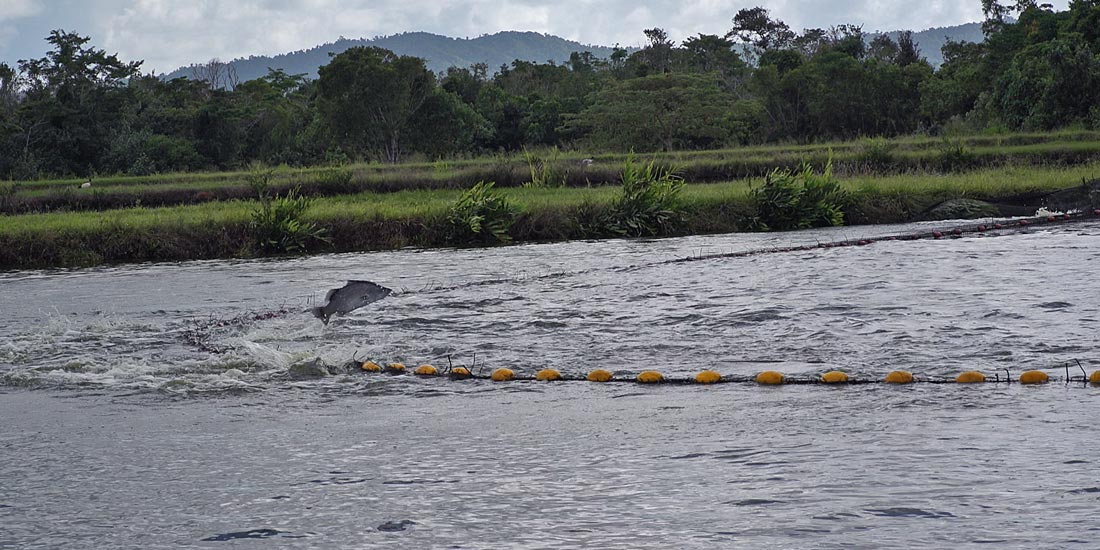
441	52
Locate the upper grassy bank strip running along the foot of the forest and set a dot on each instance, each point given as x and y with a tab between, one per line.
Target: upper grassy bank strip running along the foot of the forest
882	158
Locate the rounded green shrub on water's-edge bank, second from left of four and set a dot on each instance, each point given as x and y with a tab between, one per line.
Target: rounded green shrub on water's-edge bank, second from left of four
481	215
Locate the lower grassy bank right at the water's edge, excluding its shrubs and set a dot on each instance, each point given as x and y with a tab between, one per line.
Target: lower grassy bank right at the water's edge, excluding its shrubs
419	218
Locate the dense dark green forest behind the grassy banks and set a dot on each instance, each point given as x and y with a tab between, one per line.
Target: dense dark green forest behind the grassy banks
82	112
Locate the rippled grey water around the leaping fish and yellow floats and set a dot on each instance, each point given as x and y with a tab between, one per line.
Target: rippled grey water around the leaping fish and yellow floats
162	406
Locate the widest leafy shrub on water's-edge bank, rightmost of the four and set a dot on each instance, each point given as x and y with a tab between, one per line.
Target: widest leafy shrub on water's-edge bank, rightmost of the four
799	200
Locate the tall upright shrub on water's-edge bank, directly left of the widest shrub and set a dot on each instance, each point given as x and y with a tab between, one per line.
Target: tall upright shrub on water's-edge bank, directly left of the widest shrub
650	204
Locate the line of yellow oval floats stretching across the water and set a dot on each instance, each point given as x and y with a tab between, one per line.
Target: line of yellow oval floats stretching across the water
709	378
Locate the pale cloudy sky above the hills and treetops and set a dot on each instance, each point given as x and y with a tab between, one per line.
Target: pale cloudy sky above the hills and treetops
172	34
